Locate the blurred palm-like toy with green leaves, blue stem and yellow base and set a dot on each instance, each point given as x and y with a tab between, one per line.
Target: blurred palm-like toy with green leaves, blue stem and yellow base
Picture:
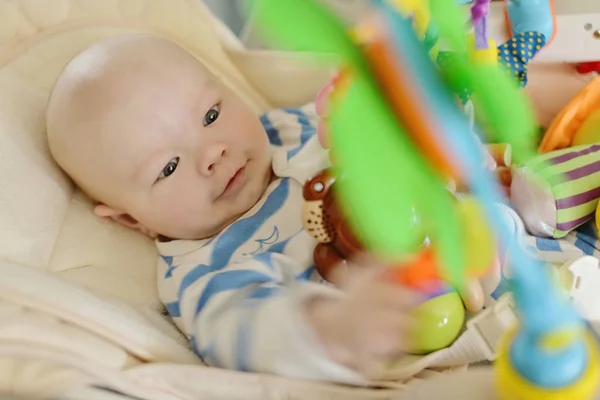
417	139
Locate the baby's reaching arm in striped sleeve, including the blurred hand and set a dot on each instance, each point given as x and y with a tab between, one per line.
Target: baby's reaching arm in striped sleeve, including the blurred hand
253	316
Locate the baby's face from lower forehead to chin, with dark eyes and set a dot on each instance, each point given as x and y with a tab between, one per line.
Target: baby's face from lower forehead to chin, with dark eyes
190	160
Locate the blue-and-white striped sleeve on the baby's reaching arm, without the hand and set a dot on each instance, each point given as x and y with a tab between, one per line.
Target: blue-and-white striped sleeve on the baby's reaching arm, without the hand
250	317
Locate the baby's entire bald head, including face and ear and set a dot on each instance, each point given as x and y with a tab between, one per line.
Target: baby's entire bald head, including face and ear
163	144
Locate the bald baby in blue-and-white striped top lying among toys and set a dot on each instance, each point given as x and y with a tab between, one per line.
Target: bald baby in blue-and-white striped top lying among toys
164	147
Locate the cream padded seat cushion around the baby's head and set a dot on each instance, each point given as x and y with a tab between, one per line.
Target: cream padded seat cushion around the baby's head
48	224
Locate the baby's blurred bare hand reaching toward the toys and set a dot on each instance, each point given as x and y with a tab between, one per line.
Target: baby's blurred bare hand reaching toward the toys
367	326
